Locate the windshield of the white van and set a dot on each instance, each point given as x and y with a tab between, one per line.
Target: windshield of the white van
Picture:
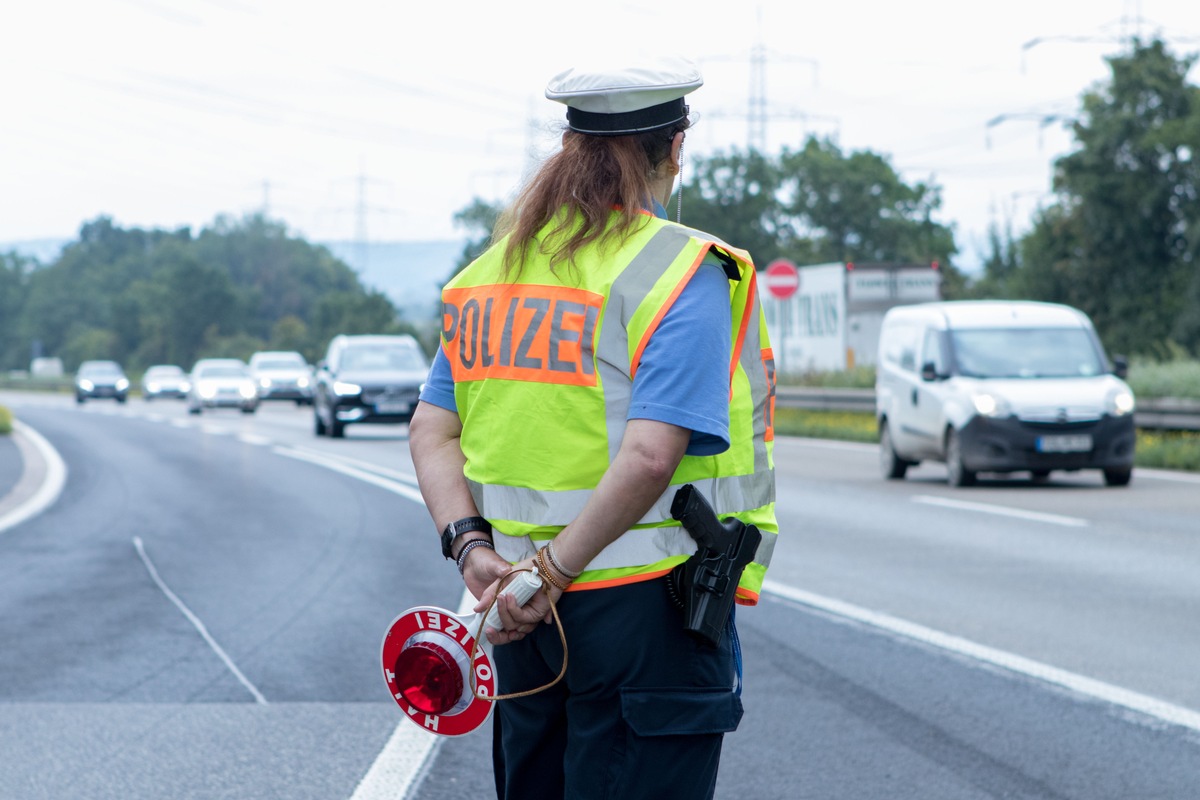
1027	353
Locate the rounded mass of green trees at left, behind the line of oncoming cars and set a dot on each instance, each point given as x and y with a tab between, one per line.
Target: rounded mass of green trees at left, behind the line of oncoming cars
167	297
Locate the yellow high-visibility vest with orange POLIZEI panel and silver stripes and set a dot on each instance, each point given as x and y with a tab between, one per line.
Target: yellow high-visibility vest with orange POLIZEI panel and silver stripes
544	368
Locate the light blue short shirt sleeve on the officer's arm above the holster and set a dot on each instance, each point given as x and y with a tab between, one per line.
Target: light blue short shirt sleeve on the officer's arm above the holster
685	375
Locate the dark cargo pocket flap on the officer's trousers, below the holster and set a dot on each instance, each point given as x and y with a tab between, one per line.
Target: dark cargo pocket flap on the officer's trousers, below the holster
681	712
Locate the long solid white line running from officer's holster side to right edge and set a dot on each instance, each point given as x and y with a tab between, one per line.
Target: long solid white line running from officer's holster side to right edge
1096	689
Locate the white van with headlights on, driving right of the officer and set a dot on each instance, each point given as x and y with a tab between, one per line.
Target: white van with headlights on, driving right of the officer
1000	387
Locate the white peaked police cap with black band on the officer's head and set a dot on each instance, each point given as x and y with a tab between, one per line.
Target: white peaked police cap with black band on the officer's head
629	100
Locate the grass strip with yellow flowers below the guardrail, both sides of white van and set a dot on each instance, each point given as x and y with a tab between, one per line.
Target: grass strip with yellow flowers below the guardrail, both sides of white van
1156	449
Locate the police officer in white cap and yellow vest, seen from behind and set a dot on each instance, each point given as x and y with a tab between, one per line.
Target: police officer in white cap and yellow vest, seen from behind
593	360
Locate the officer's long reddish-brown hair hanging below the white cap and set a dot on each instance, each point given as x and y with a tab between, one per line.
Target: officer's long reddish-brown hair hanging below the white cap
578	189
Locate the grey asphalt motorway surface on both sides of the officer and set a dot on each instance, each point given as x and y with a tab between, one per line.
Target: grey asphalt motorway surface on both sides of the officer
200	616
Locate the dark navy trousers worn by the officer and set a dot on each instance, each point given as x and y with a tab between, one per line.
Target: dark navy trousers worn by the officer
641	712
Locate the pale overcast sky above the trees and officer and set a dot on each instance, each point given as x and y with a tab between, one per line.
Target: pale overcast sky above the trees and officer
385	118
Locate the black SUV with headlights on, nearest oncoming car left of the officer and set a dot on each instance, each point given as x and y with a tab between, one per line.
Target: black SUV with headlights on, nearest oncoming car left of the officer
370	380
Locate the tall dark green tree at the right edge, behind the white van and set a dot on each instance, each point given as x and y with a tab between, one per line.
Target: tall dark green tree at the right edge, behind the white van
1123	243
